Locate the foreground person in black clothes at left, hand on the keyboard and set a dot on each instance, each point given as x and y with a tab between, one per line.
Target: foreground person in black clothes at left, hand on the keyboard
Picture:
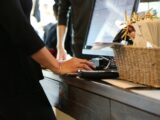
22	52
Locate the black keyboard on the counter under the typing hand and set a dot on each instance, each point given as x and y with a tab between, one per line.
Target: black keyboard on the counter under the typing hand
98	74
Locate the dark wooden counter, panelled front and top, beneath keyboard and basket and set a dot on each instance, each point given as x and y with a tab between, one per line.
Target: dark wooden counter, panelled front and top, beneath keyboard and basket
96	100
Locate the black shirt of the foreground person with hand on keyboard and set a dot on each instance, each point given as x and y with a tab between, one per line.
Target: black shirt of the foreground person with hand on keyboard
19	74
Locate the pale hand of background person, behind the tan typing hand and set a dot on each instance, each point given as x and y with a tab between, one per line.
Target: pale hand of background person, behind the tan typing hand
61	54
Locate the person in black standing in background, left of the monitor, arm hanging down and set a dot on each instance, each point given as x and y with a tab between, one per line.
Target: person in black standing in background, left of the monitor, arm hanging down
80	14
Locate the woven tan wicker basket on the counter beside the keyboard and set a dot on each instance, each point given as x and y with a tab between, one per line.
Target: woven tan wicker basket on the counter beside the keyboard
139	65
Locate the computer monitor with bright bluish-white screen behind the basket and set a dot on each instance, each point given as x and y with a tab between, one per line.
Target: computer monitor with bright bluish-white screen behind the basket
106	17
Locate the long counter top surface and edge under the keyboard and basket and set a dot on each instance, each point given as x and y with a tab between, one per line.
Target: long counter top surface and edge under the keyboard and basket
144	99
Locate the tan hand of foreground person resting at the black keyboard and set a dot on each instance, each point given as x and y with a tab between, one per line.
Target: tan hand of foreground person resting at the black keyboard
75	64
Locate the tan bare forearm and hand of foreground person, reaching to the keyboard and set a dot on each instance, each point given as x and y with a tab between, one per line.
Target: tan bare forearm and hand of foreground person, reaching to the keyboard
44	58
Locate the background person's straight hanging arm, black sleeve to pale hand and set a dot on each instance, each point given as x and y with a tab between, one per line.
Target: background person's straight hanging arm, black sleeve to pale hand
62	28
